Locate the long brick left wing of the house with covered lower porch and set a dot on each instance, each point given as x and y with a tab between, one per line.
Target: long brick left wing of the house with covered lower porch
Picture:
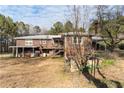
37	45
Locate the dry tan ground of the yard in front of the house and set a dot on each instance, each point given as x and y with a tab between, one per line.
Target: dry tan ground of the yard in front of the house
49	72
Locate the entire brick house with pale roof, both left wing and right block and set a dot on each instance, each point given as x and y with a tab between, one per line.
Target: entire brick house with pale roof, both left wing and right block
68	44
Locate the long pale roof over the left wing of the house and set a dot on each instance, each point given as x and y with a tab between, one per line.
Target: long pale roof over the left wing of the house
39	37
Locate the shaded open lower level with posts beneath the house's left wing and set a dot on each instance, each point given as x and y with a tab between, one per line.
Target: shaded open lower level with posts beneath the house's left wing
32	51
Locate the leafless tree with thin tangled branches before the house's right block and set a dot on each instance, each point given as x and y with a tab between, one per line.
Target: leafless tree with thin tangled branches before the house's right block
77	54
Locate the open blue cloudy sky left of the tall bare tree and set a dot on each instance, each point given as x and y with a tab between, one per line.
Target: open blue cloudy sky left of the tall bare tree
43	15
